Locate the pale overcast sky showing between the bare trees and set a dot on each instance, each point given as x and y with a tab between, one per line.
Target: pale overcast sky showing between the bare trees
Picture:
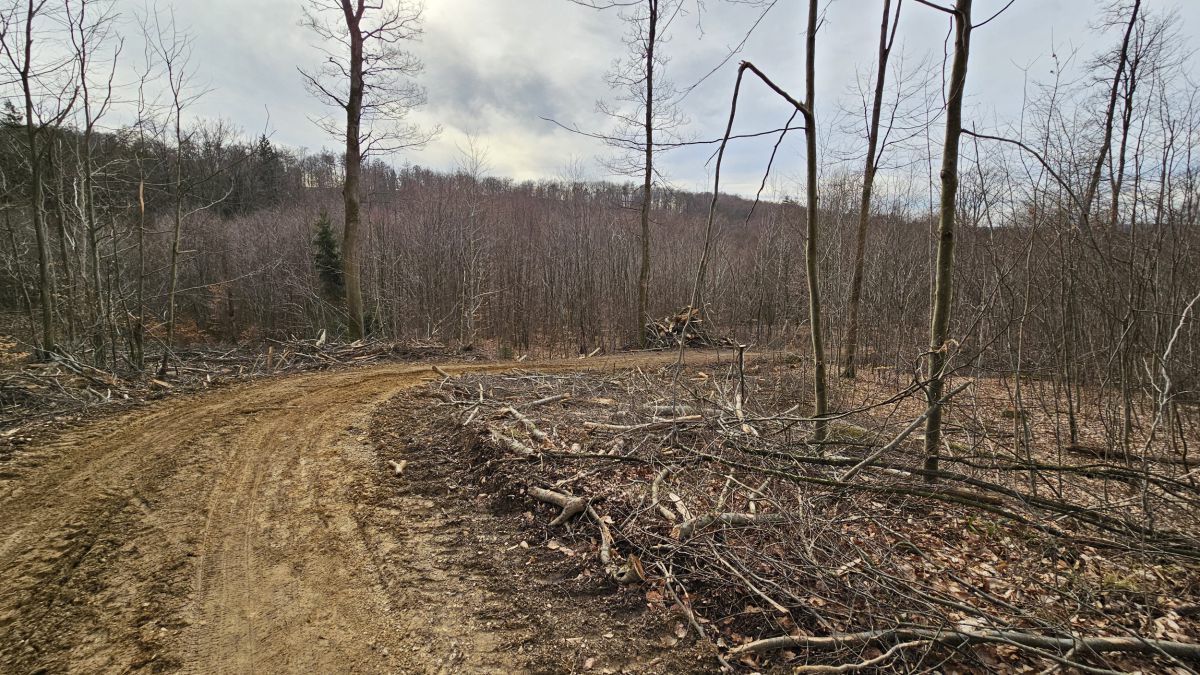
495	68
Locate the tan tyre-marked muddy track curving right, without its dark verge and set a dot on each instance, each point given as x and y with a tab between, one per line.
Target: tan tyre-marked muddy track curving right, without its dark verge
212	534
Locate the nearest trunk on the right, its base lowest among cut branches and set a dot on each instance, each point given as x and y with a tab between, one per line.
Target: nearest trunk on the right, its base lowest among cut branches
944	283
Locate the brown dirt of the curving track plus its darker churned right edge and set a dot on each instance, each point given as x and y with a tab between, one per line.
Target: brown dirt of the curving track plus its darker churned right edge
255	530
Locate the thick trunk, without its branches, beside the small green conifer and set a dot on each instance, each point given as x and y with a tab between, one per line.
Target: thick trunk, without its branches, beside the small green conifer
353	170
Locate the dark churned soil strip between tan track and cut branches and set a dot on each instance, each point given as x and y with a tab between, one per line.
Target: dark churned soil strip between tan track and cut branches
515	599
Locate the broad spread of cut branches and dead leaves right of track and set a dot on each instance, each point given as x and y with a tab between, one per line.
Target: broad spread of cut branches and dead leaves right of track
709	494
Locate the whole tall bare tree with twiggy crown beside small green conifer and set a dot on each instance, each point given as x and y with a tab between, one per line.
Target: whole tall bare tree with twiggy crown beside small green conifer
369	76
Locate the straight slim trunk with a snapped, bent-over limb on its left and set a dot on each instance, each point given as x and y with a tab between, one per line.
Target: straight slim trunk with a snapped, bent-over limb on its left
812	256
